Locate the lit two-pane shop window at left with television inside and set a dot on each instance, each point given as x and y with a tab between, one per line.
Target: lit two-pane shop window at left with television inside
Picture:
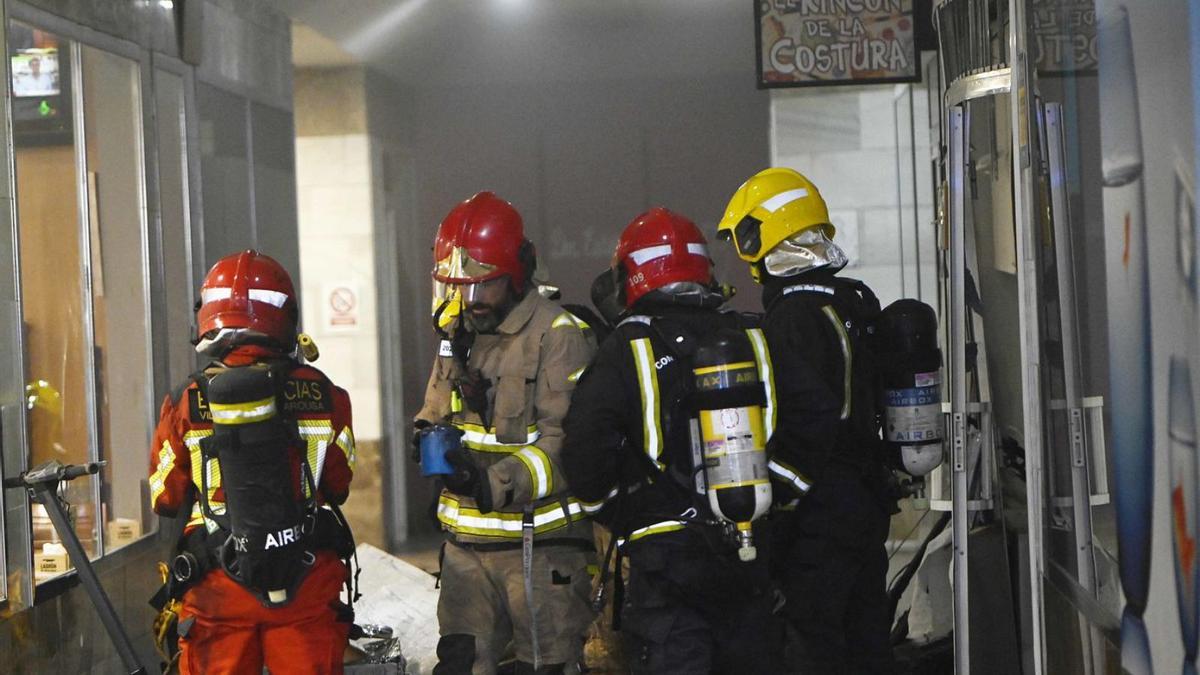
83	271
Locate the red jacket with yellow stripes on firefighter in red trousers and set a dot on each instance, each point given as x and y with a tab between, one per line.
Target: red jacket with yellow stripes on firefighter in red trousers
322	413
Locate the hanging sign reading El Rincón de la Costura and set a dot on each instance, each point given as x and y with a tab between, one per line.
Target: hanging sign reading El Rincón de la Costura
825	43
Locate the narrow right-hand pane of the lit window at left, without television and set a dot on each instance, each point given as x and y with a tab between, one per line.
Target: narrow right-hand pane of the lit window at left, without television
112	105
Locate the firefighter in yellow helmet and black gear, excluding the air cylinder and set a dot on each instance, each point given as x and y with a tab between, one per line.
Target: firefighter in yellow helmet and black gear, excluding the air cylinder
827	456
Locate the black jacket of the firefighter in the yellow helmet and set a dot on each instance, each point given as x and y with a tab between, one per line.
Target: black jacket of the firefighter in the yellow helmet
817	328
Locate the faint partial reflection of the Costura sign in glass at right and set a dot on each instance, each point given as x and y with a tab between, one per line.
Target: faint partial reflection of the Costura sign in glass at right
1064	37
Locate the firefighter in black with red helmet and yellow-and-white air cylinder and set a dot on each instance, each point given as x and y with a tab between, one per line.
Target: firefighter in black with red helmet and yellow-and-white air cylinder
699	600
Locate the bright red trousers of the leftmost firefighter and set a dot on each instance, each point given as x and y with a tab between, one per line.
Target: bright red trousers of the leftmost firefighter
235	634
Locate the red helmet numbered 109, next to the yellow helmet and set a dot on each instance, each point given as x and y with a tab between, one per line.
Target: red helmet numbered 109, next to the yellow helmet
662	248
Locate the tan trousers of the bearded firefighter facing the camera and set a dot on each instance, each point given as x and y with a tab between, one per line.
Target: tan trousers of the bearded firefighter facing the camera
483	608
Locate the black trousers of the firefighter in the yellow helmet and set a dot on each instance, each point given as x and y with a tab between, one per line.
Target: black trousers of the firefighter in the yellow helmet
832	566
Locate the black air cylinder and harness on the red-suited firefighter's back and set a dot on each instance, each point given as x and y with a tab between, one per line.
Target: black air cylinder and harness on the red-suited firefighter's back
268	531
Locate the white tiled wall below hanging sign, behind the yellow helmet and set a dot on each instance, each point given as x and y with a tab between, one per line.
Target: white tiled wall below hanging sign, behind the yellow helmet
855	145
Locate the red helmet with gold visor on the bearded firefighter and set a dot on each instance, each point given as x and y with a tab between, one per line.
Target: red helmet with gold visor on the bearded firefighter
481	240
